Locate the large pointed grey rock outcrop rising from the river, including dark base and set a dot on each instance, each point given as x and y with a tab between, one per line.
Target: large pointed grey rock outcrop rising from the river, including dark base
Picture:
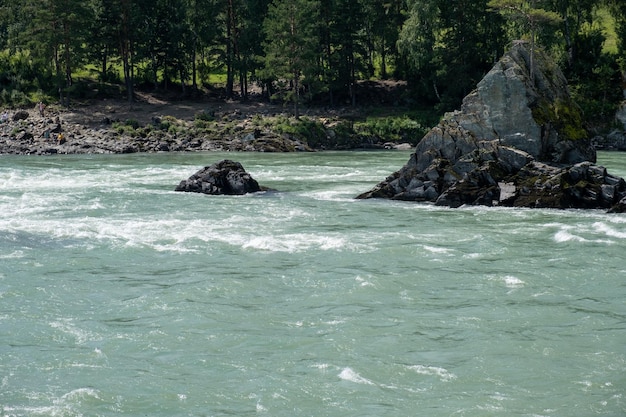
516	141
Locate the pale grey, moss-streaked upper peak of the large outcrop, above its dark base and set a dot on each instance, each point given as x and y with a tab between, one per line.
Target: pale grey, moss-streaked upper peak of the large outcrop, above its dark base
536	117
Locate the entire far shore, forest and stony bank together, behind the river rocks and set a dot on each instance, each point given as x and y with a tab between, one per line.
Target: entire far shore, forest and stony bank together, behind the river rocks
282	58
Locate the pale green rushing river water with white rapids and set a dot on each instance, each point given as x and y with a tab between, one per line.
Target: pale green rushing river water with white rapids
119	296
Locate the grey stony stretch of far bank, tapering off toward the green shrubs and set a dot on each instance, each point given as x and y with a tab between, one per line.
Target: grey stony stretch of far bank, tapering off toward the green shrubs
112	128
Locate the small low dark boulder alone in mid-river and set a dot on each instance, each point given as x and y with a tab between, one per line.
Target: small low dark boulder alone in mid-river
224	177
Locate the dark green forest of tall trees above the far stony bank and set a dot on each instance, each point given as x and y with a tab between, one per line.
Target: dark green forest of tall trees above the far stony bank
302	52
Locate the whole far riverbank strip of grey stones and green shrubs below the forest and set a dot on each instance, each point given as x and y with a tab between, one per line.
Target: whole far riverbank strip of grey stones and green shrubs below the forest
161	123
